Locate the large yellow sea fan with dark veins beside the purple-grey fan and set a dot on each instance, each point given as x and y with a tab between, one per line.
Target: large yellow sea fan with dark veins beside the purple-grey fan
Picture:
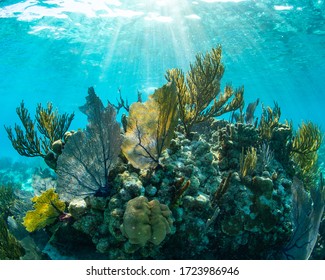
150	127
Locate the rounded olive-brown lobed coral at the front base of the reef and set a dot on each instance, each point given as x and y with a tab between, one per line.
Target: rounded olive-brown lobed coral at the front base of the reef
145	221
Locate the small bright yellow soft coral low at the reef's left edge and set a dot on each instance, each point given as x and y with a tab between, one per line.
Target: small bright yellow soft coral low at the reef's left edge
48	207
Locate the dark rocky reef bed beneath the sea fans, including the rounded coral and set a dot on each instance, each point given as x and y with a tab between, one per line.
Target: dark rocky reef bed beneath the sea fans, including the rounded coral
196	205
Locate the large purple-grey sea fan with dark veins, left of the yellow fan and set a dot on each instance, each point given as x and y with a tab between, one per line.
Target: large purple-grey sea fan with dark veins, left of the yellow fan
89	155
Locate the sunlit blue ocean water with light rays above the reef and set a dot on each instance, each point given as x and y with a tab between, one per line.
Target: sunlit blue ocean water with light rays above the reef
54	50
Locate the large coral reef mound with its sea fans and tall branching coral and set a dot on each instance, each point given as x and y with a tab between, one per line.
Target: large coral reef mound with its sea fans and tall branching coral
184	185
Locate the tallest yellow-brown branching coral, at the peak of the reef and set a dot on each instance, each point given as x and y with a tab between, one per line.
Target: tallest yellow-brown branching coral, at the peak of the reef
199	95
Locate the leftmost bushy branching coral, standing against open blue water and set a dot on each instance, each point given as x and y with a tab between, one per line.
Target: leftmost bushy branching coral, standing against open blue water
50	124
